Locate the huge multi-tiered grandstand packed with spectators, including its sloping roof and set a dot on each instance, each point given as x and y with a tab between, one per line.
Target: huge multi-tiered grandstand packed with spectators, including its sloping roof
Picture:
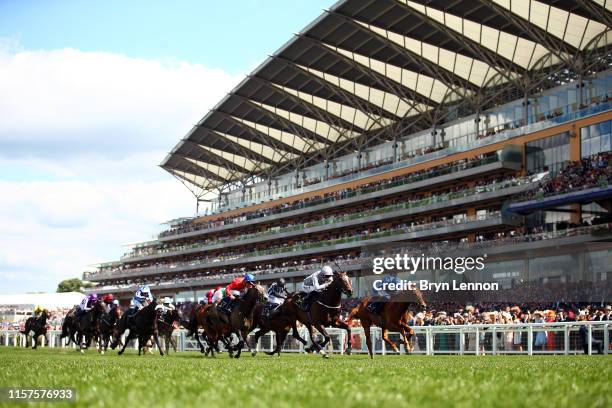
479	123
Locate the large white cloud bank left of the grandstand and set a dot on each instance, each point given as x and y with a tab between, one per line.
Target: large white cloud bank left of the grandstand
81	134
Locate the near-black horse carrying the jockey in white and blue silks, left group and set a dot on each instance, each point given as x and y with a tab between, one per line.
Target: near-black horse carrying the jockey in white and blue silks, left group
142	325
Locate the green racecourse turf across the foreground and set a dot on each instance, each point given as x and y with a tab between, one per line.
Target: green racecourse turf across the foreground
189	379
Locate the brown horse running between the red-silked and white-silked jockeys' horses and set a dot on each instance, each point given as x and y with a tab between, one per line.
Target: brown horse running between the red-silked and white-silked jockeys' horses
278	323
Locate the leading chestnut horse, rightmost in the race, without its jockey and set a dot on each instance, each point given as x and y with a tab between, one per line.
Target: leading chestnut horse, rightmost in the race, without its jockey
394	316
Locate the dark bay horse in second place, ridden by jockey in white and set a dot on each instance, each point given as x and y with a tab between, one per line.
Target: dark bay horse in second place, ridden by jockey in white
324	311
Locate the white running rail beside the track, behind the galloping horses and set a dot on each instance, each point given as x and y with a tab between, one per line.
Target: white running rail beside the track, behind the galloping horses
492	339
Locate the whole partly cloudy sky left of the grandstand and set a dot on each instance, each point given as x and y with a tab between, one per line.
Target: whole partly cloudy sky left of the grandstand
92	97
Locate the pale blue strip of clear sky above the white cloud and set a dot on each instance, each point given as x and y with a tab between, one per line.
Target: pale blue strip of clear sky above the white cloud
231	35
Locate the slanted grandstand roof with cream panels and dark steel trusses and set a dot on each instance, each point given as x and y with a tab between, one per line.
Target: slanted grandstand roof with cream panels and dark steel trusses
367	70
